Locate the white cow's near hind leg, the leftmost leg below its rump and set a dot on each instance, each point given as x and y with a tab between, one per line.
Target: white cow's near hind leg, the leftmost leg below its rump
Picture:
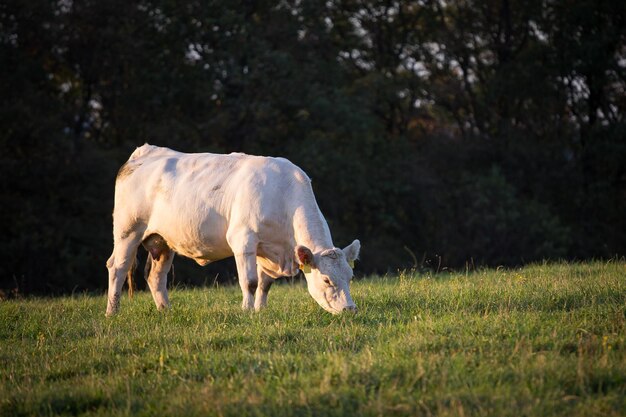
120	262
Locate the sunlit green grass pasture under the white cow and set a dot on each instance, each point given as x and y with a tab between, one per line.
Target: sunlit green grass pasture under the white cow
545	340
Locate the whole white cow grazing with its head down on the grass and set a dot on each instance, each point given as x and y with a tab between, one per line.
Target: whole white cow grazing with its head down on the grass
208	207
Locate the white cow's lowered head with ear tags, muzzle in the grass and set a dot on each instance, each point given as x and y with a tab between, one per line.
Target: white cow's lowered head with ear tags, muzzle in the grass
328	274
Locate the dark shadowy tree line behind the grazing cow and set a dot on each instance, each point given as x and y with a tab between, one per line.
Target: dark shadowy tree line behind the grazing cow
442	134
